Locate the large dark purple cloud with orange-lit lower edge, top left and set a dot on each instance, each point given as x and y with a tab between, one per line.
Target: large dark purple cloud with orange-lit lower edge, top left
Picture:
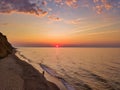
26	6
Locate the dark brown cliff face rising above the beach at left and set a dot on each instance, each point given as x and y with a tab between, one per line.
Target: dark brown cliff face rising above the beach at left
5	47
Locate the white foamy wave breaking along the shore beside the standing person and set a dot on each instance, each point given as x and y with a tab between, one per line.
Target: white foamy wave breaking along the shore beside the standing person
54	73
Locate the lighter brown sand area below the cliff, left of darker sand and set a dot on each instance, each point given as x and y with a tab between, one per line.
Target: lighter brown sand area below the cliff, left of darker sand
10	74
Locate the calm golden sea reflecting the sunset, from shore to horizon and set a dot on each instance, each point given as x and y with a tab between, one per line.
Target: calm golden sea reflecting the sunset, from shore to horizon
83	68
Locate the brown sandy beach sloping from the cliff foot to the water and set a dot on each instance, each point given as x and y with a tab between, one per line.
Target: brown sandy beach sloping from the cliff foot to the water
17	74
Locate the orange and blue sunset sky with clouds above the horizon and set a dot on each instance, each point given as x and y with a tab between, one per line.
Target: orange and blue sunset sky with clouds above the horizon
61	22
